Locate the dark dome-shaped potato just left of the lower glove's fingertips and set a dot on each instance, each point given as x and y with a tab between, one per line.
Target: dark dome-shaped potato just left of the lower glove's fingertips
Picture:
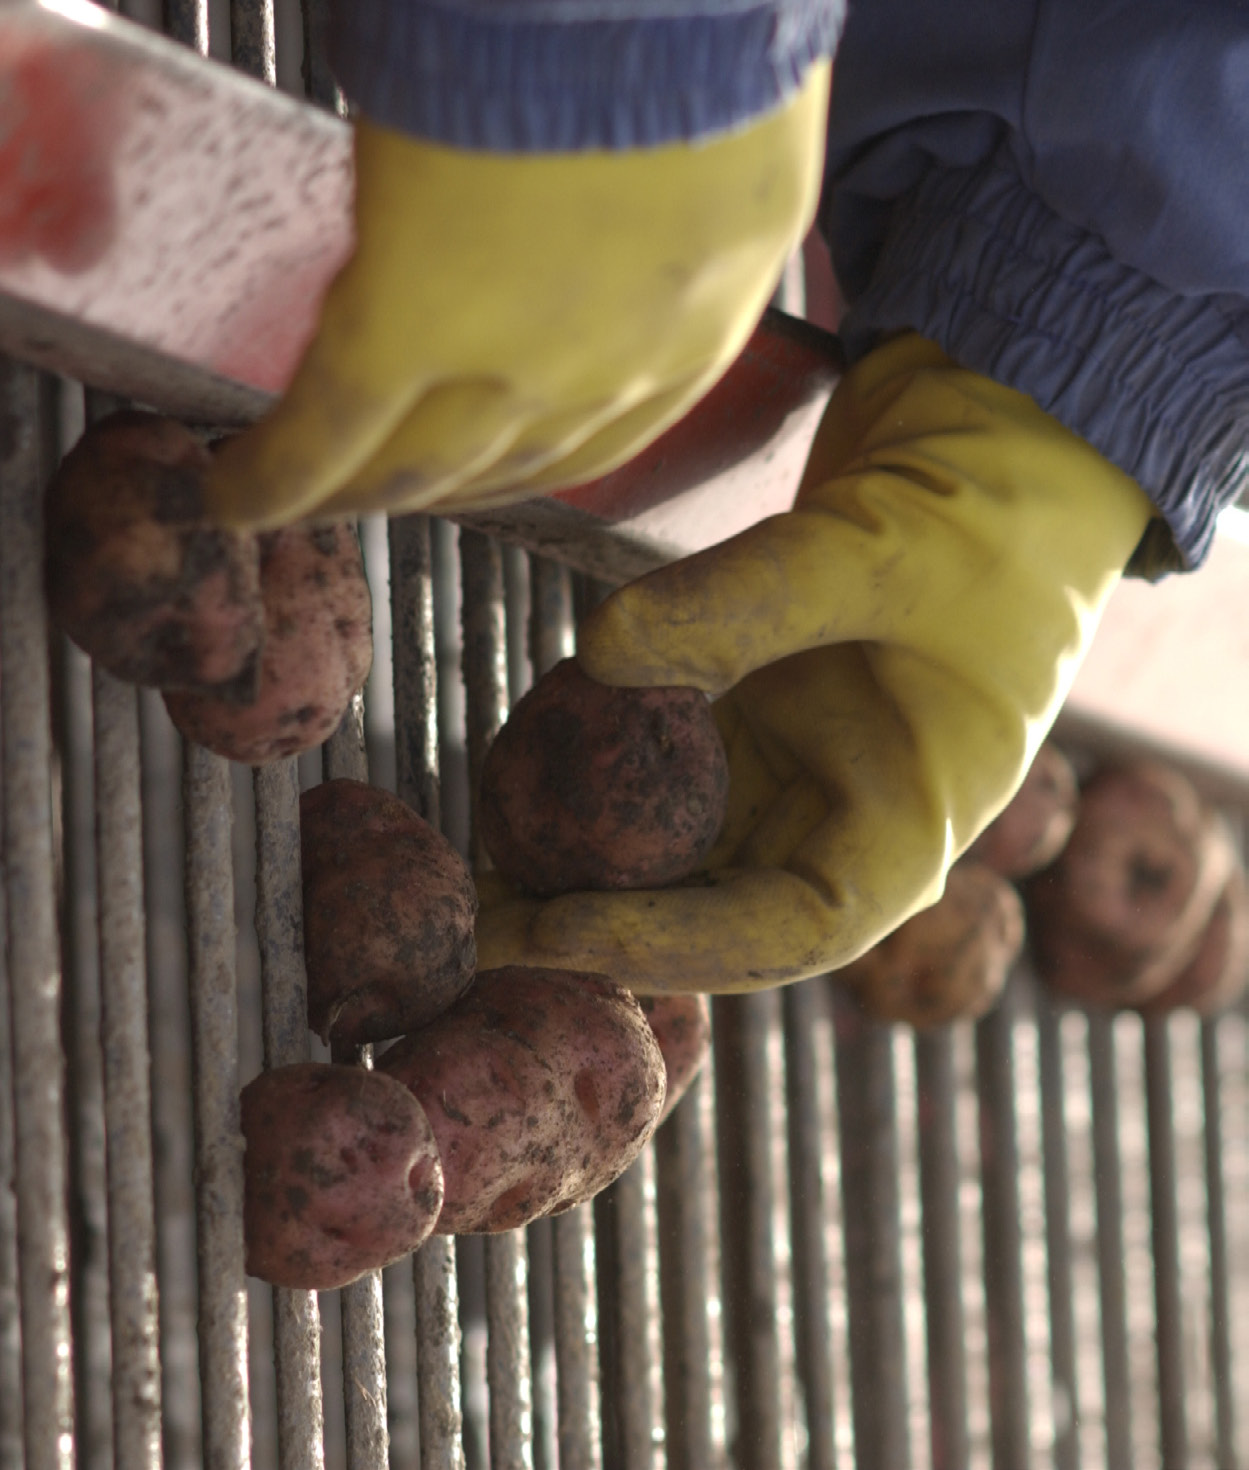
389	915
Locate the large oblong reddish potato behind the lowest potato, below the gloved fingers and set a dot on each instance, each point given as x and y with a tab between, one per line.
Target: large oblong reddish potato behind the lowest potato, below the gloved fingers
541	1089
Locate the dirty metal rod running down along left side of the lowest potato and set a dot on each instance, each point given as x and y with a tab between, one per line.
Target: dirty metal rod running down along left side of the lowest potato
211	939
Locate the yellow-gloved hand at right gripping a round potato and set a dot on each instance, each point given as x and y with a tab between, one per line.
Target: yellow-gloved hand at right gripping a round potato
888	656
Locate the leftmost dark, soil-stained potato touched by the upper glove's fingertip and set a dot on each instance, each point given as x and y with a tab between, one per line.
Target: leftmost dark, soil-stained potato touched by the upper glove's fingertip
134	573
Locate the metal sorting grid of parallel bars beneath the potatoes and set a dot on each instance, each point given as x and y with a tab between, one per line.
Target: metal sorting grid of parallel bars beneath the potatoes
1023	1243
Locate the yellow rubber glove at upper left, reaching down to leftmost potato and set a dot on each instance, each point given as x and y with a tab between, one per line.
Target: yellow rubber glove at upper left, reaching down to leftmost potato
515	324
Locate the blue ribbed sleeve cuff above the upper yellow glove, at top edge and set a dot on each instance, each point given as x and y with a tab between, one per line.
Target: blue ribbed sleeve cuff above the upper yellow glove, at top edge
552	76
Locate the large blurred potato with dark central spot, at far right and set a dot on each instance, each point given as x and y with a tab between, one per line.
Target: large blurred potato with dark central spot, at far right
1122	911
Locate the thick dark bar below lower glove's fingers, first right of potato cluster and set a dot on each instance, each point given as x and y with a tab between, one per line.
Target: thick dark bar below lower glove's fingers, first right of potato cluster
741	1027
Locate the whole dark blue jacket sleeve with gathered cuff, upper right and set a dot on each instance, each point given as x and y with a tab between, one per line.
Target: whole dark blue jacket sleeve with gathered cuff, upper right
1054	190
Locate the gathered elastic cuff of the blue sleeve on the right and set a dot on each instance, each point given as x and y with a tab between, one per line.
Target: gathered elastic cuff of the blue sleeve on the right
1154	381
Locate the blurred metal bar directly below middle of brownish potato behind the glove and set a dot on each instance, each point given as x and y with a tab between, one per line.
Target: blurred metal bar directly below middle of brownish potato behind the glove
947	1347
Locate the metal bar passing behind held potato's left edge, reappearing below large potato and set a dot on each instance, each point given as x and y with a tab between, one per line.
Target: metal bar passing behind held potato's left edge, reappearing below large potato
508	1308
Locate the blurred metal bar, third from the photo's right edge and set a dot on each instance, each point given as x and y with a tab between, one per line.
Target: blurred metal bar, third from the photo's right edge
1109	1187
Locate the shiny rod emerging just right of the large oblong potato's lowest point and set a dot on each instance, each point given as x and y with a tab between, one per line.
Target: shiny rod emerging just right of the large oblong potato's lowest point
577	1335
